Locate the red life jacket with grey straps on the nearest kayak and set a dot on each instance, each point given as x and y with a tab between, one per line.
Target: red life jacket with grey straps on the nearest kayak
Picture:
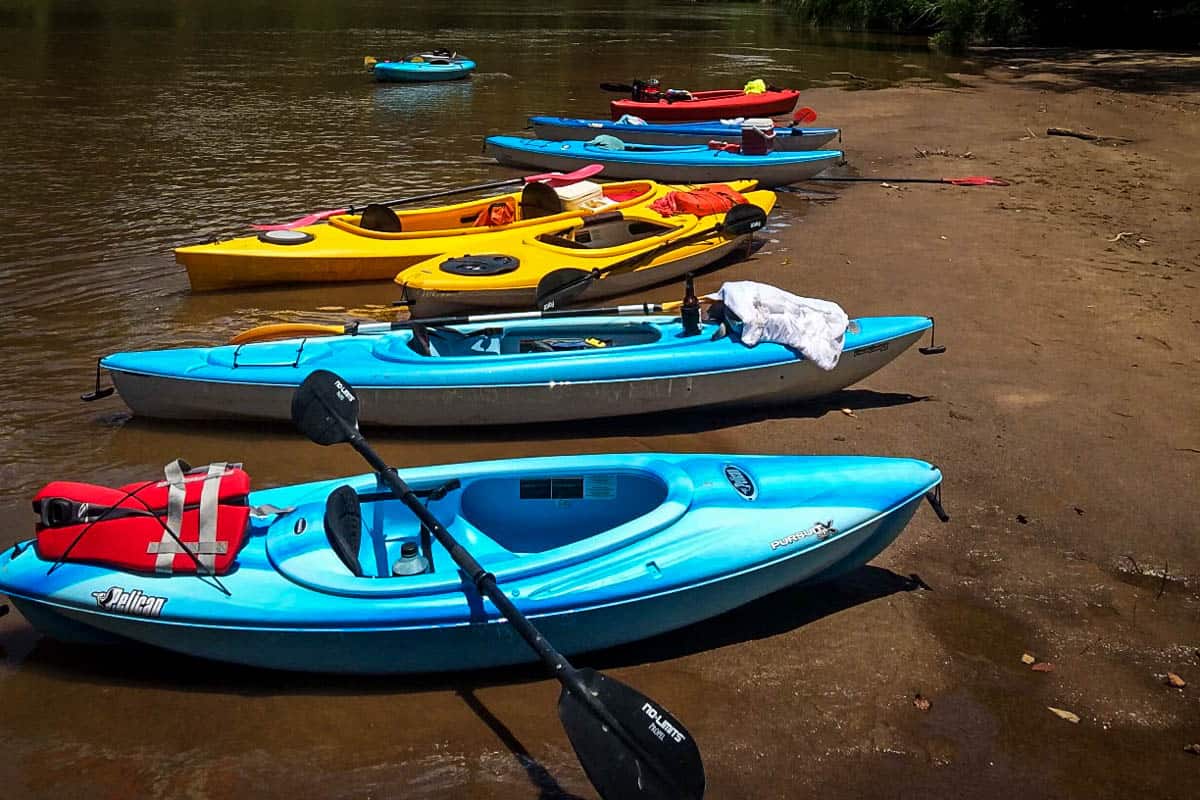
193	522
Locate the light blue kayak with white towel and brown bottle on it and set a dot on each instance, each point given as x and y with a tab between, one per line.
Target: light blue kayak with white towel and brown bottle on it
508	372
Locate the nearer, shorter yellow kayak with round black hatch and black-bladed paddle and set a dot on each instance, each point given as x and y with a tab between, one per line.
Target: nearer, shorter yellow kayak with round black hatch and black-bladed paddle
631	249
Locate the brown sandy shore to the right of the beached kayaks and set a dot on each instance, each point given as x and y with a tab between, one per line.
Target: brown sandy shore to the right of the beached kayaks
1066	418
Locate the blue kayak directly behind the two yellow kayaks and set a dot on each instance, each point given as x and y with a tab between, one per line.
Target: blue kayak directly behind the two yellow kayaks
664	164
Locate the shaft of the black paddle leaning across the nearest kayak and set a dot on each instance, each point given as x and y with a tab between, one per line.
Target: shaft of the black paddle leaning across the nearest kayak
485	582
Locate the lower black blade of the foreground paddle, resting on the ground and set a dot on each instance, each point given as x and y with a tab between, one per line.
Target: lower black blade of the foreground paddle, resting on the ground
662	762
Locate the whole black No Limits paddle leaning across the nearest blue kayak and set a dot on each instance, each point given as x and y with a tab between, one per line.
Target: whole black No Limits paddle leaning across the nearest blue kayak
629	745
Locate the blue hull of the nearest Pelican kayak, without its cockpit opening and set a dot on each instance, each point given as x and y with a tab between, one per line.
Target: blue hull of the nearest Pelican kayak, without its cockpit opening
687	572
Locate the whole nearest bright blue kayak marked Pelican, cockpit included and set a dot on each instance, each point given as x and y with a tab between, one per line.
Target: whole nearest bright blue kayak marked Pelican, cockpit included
596	550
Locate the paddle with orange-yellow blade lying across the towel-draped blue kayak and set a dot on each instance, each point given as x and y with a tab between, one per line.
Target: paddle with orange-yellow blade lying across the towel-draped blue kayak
293	330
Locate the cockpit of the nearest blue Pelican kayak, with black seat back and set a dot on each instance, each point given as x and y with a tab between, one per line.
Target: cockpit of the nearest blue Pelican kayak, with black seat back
515	525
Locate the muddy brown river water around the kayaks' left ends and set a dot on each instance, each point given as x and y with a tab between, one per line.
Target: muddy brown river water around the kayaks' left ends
130	129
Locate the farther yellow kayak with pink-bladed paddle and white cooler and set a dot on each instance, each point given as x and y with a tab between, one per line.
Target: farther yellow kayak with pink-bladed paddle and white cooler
355	248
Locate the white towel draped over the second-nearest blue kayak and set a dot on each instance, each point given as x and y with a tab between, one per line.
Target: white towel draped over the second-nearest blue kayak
815	328
